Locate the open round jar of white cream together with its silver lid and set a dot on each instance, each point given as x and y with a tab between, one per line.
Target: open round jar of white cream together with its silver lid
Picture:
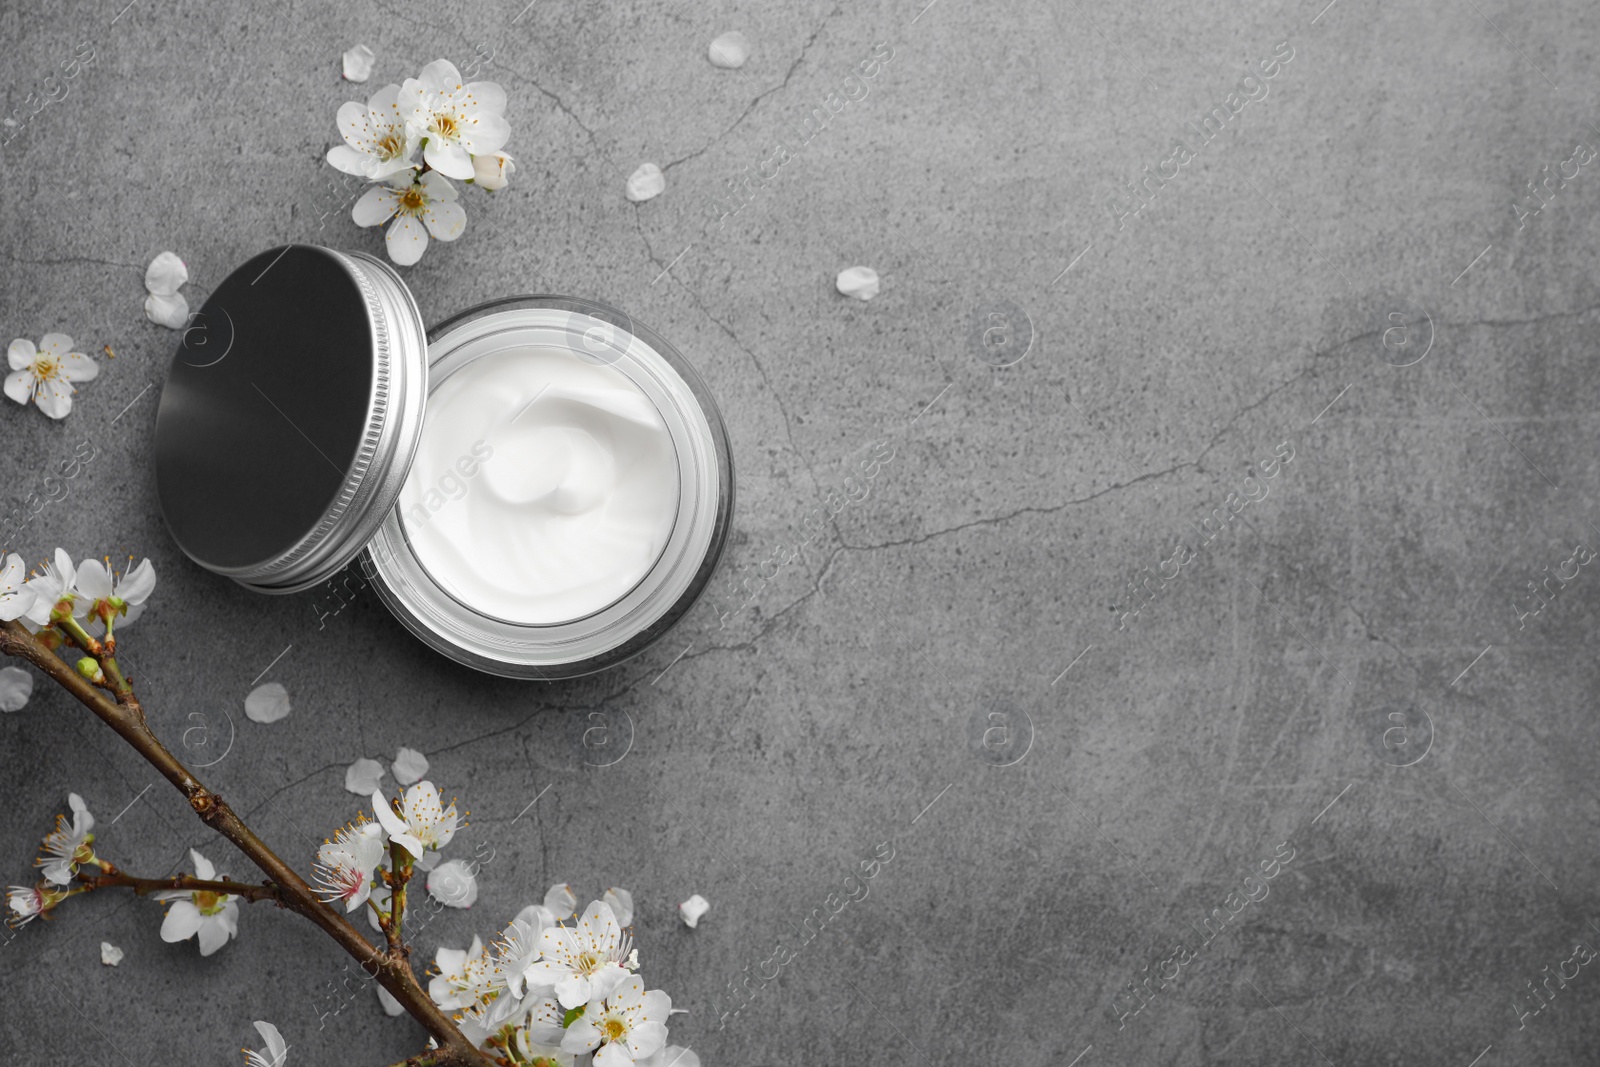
538	487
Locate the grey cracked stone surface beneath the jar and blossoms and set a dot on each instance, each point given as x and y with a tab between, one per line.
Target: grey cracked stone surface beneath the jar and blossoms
980	583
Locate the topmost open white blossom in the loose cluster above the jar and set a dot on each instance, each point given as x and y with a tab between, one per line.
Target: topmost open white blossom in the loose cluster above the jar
455	121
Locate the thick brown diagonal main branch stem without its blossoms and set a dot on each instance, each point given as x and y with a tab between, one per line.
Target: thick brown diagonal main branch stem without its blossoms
126	716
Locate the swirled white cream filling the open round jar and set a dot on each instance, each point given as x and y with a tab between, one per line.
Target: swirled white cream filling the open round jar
545	486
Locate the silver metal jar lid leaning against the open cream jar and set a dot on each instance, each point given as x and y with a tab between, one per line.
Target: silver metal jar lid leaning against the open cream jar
290	417
